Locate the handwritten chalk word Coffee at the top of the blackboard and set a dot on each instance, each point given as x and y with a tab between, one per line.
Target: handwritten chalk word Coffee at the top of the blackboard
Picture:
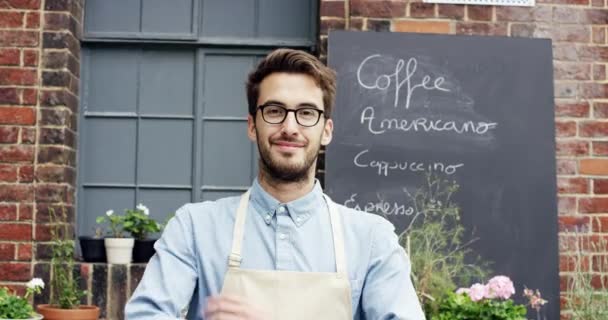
385	81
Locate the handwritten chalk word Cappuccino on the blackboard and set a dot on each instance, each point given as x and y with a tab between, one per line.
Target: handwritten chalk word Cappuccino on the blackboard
383	168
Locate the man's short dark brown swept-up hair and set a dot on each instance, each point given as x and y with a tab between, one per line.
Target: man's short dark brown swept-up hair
292	61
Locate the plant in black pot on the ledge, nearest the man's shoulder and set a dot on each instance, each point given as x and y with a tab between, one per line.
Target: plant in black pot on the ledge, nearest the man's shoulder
140	225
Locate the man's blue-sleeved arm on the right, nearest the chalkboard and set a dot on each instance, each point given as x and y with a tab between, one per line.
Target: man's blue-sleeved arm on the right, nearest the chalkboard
388	292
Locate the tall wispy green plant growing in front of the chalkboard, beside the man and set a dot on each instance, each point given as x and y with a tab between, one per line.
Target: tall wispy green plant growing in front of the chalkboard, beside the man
434	241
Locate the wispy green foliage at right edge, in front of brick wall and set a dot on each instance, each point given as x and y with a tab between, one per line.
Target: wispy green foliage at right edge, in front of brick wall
583	299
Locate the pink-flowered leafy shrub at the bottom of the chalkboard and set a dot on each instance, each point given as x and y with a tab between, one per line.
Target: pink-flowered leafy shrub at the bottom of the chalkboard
489	301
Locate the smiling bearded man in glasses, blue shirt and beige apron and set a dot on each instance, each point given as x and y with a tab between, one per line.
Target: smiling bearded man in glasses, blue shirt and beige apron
283	250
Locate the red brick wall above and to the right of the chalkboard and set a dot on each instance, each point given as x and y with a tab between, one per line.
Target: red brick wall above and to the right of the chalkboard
578	31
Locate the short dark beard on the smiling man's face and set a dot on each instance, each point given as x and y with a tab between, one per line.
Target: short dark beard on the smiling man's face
281	171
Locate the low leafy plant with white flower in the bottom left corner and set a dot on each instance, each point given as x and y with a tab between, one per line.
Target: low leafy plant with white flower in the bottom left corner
14	307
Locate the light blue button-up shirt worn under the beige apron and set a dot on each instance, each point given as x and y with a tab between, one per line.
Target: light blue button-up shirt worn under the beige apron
192	254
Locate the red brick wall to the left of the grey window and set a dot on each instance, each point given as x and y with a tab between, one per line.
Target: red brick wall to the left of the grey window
39	78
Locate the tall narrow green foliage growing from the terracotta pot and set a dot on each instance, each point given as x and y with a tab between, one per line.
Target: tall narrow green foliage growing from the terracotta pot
65	293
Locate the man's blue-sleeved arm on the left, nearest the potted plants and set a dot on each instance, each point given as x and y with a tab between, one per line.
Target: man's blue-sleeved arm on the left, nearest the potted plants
170	277
